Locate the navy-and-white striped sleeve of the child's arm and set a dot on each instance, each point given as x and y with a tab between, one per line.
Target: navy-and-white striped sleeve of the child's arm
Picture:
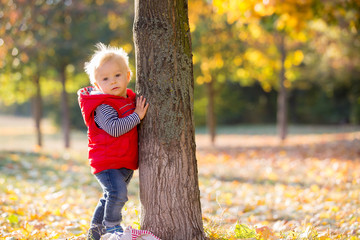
106	117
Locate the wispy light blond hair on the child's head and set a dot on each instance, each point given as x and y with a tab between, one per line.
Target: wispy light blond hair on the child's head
102	55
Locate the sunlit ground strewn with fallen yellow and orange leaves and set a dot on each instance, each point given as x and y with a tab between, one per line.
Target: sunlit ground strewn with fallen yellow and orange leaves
252	187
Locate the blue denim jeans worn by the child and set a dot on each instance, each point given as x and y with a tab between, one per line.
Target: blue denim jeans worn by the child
114	184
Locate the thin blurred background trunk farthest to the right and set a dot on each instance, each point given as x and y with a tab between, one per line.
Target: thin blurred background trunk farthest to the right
282	97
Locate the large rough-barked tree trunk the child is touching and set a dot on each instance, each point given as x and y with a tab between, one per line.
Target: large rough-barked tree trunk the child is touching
169	190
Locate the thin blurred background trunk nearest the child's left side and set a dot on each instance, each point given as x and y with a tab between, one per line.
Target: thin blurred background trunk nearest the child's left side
65	109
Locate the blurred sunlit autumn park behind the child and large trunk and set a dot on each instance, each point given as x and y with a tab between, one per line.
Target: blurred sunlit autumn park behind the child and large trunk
263	71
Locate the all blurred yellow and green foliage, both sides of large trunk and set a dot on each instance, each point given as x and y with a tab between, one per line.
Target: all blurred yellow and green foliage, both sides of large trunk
235	44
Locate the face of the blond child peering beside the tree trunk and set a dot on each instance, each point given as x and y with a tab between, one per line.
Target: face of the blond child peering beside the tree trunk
112	78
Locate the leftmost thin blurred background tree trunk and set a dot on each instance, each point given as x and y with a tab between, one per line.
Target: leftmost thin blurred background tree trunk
37	109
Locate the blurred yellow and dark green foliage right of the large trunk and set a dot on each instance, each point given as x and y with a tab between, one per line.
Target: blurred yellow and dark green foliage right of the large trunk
322	63
